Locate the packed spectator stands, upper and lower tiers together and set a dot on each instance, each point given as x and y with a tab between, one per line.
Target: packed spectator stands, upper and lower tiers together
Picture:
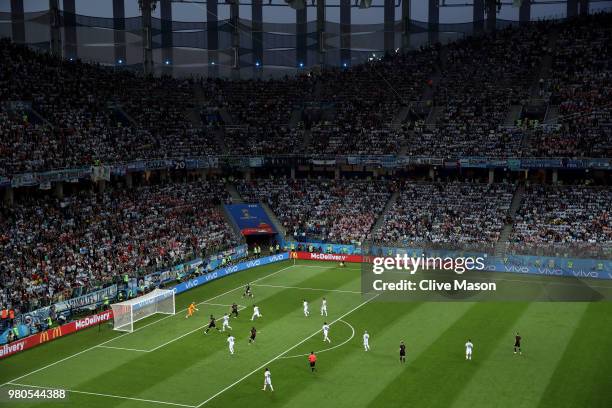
65	114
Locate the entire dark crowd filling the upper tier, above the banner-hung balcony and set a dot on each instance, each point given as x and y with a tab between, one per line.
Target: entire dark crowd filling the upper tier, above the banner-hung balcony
78	113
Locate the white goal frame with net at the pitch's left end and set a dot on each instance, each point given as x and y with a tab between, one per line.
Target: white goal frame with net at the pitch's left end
125	314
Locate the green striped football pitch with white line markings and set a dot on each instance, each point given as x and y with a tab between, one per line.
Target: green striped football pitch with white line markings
168	361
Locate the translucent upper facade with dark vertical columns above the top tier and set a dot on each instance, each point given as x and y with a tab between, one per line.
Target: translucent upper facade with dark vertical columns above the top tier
258	37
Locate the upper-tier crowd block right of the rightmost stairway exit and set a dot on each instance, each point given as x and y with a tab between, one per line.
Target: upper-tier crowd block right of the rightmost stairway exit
580	85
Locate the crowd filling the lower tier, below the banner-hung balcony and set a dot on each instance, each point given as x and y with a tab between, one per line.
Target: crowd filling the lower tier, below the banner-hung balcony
51	247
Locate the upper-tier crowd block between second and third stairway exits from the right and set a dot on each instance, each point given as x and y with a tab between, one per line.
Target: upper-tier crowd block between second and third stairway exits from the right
366	99
